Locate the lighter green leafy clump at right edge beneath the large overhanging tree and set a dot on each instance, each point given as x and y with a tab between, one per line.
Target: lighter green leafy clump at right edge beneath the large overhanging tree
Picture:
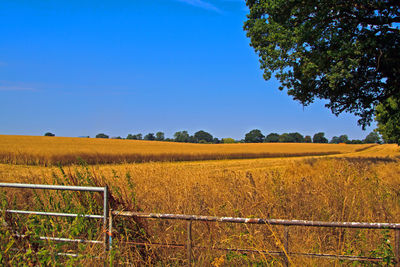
388	119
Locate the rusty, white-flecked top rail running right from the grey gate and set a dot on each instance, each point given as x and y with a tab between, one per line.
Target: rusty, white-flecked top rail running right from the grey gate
259	221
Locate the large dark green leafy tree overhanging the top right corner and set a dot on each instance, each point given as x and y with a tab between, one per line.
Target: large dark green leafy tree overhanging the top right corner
344	51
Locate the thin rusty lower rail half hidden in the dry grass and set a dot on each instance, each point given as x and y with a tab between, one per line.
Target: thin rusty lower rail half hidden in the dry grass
272	253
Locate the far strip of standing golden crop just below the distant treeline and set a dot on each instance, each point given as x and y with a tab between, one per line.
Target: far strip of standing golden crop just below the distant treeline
40	150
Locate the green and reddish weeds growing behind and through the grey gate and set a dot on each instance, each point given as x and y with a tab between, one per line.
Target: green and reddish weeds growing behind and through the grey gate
20	235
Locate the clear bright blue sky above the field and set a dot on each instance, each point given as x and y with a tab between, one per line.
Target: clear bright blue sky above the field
79	68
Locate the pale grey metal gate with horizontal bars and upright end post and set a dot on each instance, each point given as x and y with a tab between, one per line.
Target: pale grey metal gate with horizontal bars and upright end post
106	241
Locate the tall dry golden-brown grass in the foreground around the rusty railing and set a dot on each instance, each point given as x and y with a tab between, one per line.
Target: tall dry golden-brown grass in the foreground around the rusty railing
351	189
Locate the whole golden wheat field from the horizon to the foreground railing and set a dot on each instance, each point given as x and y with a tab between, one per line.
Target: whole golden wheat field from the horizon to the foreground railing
313	182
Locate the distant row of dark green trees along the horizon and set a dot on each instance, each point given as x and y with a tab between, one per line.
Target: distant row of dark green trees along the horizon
254	136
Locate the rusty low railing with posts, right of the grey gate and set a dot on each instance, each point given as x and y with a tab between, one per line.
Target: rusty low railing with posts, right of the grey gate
285	253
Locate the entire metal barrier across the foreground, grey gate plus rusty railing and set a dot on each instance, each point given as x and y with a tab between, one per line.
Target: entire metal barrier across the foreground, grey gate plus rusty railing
286	253
